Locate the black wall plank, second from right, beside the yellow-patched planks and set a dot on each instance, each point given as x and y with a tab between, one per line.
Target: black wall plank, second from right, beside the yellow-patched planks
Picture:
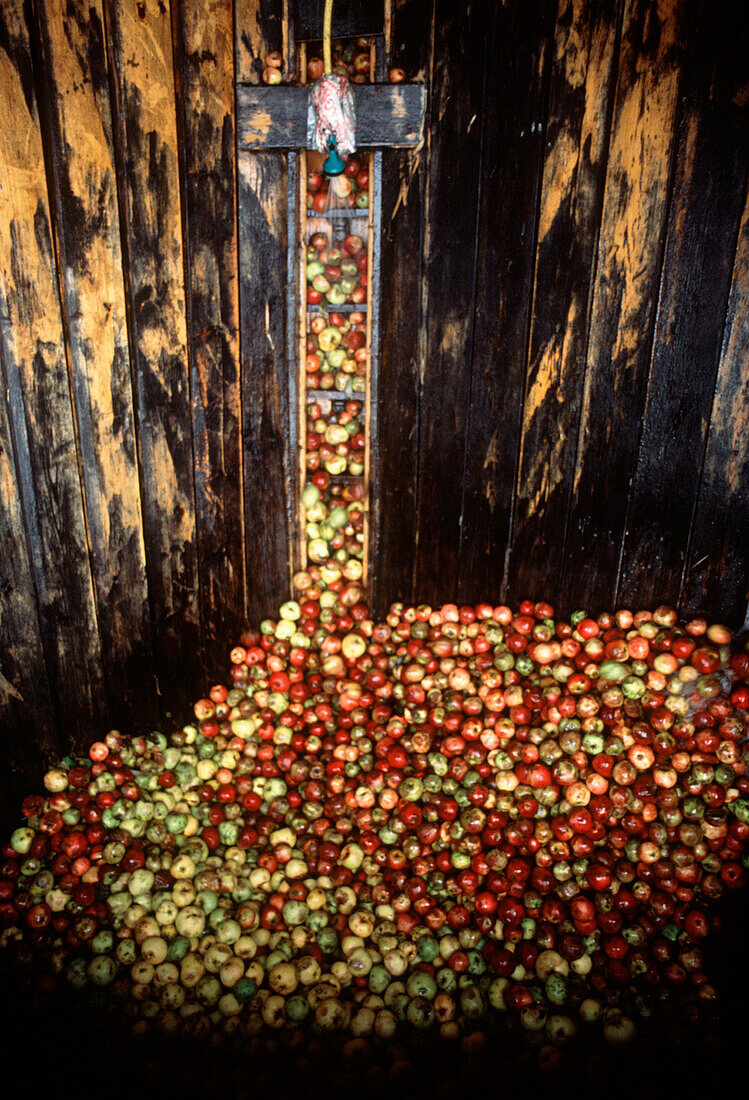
712	166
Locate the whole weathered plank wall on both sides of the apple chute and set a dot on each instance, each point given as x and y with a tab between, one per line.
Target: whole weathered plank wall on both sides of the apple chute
565	334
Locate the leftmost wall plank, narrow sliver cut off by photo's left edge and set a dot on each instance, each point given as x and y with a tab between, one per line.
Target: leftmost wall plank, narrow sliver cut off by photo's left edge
27	712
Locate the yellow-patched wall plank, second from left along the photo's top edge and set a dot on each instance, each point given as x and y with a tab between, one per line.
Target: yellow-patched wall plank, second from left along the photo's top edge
89	247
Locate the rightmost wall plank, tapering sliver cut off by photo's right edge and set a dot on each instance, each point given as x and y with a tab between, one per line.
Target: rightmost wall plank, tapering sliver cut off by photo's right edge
718	575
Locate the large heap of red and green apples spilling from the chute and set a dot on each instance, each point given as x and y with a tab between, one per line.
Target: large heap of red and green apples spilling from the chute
417	823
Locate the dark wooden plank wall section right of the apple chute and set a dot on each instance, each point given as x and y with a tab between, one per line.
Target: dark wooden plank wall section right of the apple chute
566	309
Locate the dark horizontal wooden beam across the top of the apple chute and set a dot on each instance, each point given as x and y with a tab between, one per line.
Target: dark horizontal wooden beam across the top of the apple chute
276	117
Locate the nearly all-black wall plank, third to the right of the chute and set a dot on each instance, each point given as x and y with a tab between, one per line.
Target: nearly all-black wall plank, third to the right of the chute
514	122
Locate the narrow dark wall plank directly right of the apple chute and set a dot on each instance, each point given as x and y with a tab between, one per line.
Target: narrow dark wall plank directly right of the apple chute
394	454
